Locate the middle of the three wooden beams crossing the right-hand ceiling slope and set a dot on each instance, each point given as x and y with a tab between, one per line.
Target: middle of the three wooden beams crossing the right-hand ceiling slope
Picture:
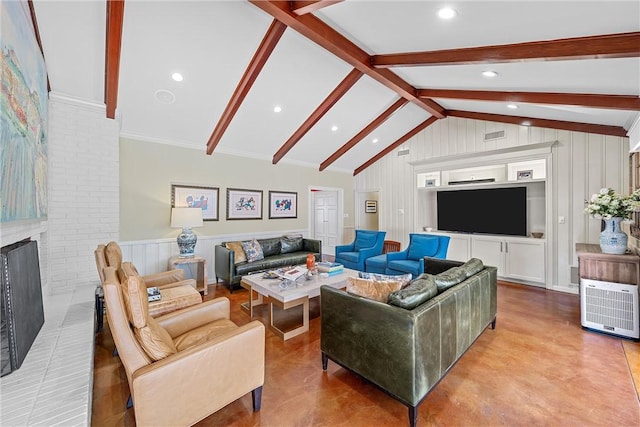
616	102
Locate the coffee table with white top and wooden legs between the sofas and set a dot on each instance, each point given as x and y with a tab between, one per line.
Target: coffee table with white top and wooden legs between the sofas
290	297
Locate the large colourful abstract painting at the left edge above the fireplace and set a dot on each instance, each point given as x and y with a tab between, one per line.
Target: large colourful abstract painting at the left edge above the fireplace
23	117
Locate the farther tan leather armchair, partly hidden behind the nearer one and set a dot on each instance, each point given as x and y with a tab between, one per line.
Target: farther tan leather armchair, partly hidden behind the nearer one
110	255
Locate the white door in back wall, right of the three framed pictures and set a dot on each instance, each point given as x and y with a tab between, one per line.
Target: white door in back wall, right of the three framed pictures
326	217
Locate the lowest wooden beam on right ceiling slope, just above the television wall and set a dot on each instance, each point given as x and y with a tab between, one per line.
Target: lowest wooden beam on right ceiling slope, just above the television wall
545	123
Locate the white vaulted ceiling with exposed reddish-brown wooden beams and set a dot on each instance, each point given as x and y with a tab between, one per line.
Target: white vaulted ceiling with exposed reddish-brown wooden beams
344	73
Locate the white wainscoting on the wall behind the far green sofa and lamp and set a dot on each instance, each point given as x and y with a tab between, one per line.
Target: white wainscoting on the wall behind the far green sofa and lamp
152	256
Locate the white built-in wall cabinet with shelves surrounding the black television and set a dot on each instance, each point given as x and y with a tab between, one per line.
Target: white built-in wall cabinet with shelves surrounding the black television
518	258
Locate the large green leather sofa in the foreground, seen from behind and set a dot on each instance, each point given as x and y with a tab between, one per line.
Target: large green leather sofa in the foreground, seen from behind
403	351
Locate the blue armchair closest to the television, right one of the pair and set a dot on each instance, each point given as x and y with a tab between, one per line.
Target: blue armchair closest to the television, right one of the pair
411	260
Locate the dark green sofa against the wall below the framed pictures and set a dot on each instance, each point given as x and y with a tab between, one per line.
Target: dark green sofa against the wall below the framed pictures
231	273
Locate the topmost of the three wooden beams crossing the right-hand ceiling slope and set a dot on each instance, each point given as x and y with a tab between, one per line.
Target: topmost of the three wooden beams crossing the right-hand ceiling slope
622	45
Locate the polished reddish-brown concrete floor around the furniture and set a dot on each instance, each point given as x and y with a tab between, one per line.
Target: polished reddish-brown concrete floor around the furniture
537	368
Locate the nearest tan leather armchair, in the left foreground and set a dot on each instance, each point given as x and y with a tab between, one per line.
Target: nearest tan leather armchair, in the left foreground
187	364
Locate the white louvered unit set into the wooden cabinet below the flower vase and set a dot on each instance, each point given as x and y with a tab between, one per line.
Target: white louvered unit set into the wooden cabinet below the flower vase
610	307
